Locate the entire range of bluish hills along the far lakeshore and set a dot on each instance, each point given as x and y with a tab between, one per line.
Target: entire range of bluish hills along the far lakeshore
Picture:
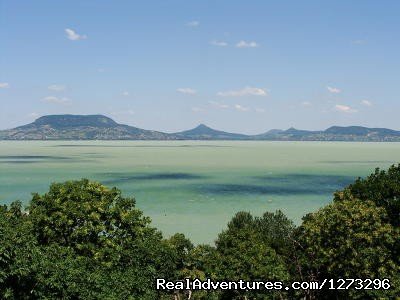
99	127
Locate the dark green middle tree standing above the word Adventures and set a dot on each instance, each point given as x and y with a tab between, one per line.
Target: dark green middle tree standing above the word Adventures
245	252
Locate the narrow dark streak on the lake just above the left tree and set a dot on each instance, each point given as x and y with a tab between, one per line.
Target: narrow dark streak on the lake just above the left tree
122	177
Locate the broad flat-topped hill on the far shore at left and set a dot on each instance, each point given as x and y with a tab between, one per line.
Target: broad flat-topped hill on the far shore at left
79	127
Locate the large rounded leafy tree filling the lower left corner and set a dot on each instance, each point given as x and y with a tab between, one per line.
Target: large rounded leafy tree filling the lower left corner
81	240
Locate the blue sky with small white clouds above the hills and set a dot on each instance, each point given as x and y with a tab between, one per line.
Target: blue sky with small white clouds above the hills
244	66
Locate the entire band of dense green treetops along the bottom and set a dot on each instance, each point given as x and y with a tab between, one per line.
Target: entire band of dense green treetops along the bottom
82	240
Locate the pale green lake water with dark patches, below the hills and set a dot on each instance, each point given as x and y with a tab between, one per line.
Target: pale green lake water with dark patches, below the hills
195	187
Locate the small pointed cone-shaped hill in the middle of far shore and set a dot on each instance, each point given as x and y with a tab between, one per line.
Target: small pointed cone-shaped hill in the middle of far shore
203	132
